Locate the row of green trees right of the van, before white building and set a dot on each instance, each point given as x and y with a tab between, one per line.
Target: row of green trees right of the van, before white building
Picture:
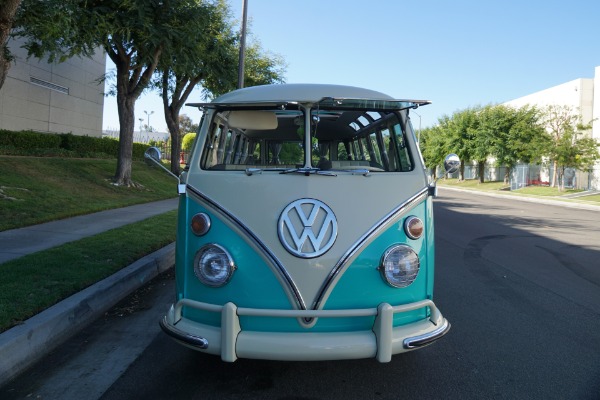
510	136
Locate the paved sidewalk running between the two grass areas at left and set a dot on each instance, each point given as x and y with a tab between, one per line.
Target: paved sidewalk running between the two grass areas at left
16	243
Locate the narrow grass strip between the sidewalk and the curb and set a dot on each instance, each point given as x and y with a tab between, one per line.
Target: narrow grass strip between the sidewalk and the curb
35	282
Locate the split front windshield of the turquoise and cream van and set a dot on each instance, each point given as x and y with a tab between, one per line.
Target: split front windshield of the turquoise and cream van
342	137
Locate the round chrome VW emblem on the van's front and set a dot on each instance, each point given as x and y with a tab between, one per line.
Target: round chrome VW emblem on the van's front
307	228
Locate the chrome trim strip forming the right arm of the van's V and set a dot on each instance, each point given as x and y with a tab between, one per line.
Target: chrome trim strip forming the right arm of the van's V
375	229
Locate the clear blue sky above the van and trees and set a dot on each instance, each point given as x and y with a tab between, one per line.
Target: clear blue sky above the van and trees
457	53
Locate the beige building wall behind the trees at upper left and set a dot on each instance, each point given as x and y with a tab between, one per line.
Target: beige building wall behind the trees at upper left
53	97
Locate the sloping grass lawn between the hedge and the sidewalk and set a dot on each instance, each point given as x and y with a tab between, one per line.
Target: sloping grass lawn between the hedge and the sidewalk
35	190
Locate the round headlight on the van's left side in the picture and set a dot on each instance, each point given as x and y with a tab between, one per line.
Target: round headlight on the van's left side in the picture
213	265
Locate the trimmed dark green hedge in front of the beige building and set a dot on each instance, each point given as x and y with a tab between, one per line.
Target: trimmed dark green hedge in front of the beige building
62	145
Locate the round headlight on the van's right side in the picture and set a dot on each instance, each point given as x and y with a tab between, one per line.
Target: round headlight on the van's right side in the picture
399	266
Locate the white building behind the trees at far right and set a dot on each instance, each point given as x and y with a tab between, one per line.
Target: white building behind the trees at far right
577	94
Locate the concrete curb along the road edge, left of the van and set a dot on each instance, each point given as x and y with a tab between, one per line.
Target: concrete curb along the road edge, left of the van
25	344
